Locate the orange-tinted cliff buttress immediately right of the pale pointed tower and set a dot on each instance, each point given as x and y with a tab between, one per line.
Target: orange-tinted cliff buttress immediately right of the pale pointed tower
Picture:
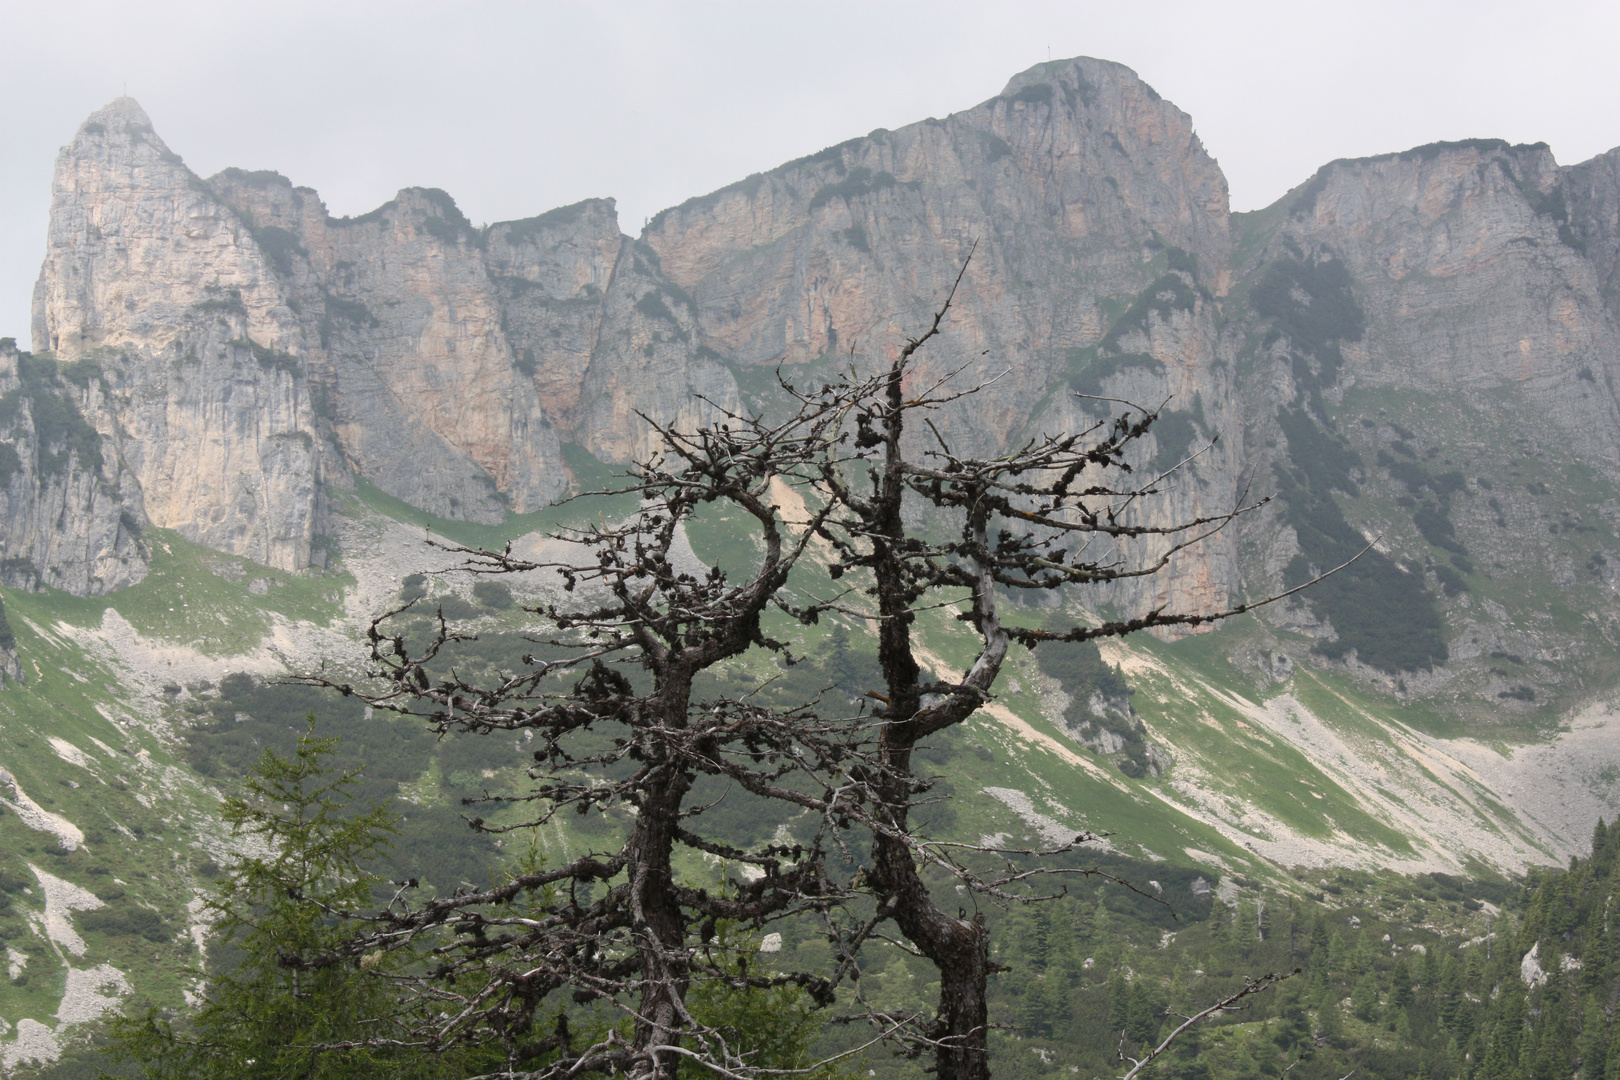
406	344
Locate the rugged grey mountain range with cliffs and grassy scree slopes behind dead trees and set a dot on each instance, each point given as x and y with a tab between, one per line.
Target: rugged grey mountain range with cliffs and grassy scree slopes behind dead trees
241	414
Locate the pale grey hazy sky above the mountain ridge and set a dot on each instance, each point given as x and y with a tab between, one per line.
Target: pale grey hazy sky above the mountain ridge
521	108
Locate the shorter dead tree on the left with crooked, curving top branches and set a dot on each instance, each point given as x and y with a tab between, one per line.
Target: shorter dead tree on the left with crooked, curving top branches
618	721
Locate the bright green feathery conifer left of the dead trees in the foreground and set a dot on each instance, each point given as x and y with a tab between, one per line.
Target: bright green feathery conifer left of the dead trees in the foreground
284	1005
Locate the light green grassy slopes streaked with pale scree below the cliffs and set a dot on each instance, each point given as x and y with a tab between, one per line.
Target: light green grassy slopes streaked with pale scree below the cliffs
148	817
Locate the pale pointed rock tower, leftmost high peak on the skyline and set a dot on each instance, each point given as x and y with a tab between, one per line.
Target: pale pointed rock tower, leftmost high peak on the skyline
163	289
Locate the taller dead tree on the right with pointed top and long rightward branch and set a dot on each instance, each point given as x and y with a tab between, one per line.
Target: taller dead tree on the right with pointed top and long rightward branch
1049	516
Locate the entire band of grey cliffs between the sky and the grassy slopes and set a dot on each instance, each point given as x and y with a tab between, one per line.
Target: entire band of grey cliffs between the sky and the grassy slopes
1386	339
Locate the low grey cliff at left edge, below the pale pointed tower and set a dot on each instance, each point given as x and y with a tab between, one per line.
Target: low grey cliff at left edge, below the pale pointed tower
72	512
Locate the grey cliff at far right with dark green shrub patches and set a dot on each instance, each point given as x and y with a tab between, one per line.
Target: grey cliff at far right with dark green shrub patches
1426	347
